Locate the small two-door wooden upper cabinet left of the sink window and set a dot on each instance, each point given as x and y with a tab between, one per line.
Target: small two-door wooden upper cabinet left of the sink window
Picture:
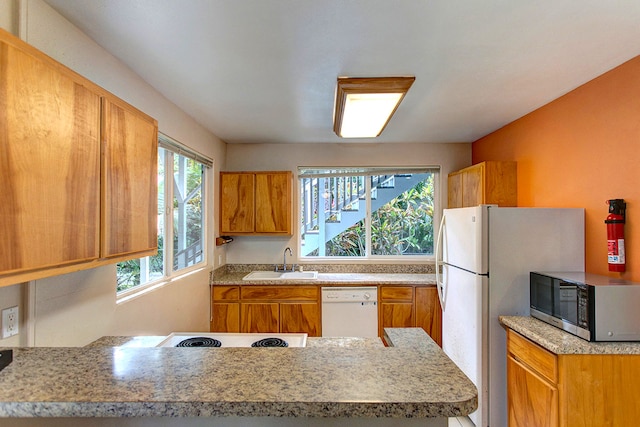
256	203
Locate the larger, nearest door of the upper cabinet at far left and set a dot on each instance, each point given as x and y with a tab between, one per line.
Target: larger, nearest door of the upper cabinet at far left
49	162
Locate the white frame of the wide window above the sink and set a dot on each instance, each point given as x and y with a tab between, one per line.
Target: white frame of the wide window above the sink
369	171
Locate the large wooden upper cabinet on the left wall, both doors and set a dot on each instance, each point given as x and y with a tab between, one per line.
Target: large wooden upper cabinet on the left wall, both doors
53	206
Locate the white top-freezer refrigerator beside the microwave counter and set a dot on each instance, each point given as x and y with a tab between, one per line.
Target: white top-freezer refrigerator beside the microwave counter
483	258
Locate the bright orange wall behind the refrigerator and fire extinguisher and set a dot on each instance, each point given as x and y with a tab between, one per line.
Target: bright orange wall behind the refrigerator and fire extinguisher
579	151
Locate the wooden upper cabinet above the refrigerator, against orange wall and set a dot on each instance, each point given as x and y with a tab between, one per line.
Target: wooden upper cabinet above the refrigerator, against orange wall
488	182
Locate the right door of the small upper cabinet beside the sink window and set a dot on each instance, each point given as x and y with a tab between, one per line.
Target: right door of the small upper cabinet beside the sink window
273	202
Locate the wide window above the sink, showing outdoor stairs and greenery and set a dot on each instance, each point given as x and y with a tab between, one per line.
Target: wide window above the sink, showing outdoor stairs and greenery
367	213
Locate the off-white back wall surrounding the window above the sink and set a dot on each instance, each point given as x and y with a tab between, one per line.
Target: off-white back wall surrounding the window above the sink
268	250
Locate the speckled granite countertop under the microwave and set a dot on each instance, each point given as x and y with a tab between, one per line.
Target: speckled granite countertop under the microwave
559	342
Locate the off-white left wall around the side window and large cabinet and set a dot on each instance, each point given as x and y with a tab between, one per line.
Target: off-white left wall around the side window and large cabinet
75	309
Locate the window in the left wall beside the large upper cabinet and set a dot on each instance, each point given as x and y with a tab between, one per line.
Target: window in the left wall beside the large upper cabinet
181	221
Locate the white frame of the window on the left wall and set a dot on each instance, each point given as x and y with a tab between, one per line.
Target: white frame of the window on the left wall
171	148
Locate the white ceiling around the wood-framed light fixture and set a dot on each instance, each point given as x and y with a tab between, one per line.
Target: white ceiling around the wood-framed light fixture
265	70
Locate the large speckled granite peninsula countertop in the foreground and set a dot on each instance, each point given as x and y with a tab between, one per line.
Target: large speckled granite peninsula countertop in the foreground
413	379
